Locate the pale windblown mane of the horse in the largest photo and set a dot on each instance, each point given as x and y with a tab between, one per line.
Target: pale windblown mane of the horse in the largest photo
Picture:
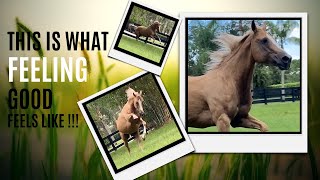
227	43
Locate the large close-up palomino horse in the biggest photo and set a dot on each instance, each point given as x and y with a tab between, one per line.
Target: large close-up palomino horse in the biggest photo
222	96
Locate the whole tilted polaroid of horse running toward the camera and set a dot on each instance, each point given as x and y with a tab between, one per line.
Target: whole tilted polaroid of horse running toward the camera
135	126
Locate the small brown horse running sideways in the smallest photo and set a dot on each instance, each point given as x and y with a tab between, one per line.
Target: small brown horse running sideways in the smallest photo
148	31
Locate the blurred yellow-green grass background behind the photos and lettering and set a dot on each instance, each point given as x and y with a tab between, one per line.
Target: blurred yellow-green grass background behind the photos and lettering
72	153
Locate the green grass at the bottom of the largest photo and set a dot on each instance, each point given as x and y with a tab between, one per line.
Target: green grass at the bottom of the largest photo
280	117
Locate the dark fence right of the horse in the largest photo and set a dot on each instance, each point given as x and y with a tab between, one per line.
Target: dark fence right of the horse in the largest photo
267	95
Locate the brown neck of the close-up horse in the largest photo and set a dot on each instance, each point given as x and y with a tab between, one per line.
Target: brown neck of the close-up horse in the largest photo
239	68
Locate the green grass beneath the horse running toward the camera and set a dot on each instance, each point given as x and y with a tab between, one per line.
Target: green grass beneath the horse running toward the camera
155	140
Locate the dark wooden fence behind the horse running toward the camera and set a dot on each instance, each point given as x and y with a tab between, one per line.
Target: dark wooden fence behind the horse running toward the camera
116	137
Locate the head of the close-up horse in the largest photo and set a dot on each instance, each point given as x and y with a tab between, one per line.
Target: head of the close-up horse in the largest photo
265	49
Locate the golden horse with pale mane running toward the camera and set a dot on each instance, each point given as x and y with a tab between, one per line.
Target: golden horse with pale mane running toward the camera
129	119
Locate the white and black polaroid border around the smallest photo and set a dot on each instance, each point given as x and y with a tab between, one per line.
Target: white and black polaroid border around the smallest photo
136	60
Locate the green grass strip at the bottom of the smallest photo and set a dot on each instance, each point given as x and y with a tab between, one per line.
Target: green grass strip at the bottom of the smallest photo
140	48
